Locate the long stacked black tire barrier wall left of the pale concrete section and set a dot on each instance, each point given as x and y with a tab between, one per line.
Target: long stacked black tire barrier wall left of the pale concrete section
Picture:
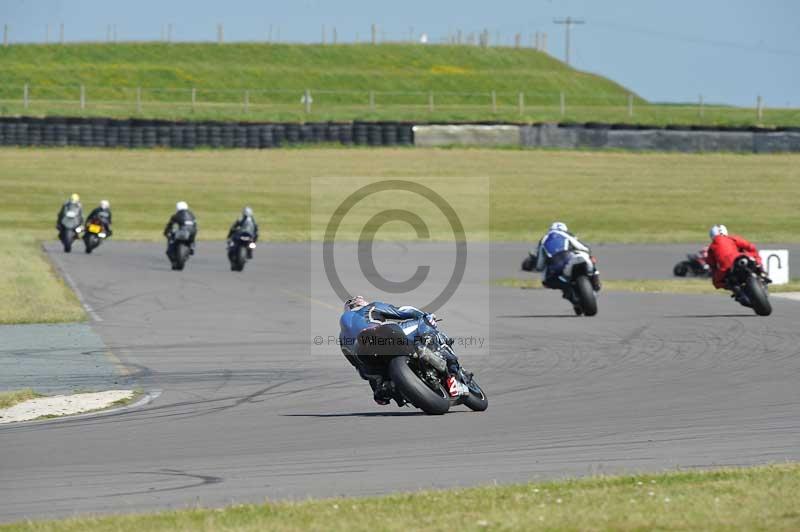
108	133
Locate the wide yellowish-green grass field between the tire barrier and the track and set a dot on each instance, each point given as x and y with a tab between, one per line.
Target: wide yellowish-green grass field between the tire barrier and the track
605	197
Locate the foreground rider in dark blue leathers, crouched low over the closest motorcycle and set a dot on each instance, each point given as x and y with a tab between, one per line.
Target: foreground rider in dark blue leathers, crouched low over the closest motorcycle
360	315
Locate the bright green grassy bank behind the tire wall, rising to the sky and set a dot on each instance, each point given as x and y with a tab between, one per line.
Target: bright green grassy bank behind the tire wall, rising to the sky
341	77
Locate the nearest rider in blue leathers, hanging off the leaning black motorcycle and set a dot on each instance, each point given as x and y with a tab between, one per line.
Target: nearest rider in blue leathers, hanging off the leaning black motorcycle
359	316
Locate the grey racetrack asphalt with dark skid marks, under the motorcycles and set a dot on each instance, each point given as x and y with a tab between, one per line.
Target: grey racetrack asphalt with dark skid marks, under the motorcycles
655	381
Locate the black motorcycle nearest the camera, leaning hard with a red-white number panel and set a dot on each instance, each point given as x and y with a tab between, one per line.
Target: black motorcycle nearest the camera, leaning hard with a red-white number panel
424	372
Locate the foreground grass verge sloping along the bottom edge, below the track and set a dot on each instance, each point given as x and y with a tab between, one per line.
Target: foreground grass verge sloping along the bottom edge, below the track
762	498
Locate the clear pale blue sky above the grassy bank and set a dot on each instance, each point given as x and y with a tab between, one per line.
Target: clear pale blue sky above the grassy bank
728	51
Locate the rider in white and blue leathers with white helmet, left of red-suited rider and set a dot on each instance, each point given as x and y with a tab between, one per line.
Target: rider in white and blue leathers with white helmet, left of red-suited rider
553	256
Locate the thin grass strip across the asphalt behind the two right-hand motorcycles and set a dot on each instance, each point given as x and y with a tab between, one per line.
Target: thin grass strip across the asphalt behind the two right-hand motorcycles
669	286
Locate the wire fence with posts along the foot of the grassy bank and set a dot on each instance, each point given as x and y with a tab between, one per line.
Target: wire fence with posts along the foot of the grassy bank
315	103
